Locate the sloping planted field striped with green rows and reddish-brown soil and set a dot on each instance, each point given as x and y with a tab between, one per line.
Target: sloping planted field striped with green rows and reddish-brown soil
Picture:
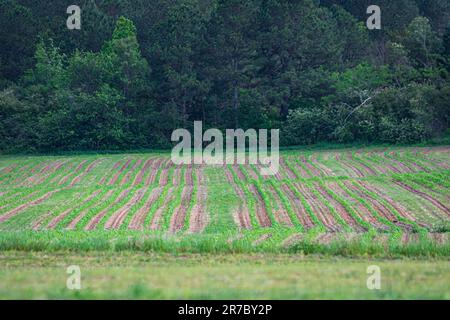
343	201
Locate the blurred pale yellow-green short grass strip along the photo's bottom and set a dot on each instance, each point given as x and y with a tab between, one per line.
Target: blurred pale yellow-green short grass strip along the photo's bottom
138	275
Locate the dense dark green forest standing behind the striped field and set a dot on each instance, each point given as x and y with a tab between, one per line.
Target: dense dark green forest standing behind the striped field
138	69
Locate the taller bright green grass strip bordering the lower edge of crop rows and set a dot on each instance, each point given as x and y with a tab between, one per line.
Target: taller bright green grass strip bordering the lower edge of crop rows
365	244
